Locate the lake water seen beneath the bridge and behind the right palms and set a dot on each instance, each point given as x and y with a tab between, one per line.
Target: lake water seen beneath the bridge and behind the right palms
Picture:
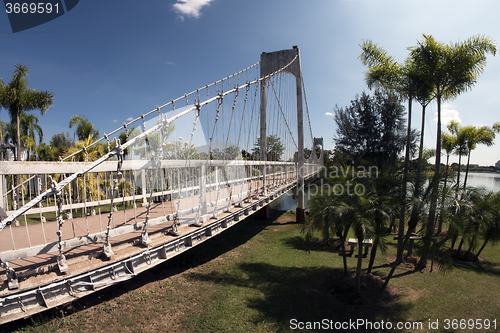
489	181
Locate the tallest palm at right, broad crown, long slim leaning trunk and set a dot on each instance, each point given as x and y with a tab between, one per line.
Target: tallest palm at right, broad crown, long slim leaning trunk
450	70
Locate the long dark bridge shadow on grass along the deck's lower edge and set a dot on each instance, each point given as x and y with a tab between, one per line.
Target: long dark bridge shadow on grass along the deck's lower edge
198	255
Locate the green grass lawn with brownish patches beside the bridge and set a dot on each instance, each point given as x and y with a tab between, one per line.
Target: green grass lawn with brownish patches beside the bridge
262	276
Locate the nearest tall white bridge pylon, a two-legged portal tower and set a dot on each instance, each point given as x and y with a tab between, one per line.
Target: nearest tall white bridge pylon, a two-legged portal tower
271	62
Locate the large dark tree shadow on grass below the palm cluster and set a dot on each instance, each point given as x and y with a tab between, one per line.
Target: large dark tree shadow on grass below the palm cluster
310	294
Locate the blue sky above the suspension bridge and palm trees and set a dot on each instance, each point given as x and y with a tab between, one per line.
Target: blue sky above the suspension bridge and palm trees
112	60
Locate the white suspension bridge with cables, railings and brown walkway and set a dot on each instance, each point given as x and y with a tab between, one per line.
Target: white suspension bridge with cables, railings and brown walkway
181	173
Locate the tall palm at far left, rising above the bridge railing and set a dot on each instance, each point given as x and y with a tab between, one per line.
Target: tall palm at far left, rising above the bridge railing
18	98
